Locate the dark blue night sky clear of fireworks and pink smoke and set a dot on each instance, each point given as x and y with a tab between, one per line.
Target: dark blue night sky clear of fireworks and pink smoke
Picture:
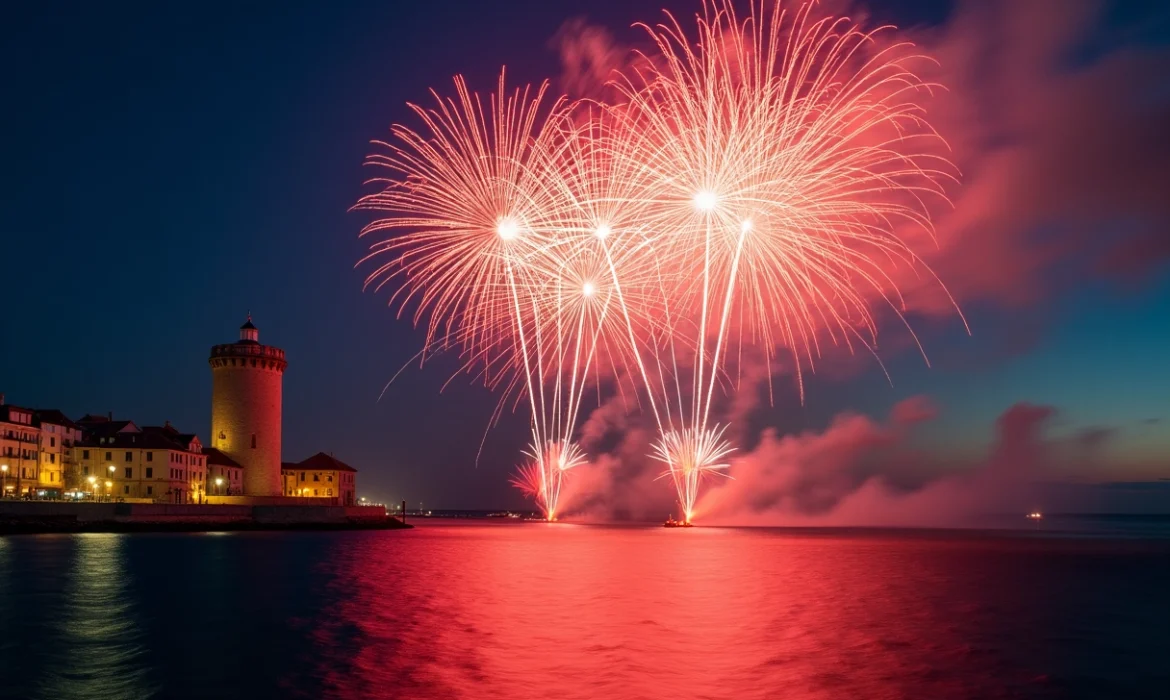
171	167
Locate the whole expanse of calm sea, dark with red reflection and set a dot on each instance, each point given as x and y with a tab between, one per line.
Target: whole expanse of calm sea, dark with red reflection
526	610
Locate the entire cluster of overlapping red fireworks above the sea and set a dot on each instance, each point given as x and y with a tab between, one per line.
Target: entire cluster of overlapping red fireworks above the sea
636	276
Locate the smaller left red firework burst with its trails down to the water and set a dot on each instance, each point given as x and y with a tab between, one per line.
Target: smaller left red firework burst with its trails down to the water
485	255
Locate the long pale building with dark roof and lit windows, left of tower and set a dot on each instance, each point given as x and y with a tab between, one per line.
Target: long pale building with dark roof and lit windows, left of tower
157	464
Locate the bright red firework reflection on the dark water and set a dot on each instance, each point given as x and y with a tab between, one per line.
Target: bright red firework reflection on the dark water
575	612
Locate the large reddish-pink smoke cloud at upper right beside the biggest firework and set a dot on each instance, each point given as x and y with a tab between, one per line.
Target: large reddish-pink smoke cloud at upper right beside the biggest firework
1062	140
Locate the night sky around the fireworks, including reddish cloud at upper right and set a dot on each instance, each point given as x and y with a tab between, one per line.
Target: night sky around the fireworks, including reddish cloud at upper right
170	168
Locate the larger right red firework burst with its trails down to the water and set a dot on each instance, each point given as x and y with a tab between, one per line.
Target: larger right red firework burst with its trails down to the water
780	159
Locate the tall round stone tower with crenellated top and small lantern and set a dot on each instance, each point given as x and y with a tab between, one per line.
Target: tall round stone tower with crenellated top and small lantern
246	409
